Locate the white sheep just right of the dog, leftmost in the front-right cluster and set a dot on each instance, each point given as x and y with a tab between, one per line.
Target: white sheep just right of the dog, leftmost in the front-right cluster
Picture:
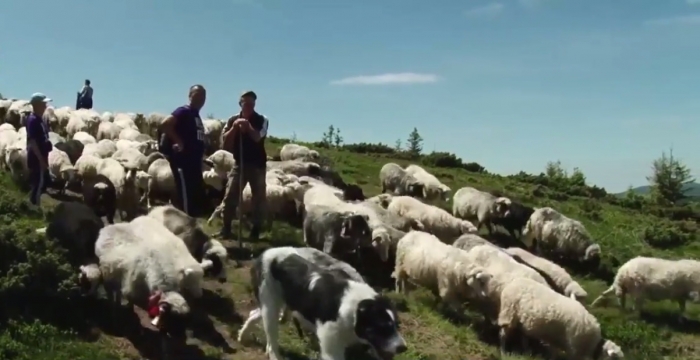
422	259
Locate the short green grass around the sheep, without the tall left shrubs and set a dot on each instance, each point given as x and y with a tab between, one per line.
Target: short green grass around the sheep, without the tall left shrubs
430	335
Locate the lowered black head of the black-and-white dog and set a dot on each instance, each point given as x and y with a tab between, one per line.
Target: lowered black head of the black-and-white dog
377	323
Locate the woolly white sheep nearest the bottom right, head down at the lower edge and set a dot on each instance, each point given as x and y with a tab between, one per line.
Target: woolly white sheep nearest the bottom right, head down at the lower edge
558	321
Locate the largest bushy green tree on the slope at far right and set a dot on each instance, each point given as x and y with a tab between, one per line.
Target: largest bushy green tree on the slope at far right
668	180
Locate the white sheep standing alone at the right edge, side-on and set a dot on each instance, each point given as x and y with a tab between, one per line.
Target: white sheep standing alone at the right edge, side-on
656	279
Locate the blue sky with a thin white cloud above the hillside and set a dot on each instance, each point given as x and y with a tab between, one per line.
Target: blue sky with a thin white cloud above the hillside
602	85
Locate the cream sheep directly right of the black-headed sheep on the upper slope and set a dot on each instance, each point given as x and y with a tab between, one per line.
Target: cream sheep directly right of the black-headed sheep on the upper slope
551	231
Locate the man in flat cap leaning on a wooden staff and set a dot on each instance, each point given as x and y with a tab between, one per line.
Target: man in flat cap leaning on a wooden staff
245	131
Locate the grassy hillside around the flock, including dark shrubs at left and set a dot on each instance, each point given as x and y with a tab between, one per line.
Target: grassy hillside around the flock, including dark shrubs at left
46	321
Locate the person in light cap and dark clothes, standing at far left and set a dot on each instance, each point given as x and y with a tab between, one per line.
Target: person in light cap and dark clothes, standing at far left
38	147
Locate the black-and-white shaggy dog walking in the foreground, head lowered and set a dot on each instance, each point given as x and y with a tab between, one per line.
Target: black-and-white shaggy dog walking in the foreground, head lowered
342	311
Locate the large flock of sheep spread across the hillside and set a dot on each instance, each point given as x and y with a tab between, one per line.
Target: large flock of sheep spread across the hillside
114	160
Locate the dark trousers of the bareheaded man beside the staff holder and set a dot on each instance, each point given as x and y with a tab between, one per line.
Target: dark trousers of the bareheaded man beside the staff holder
190	187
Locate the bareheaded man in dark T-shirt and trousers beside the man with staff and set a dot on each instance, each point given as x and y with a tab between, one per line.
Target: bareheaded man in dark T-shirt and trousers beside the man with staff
182	142
